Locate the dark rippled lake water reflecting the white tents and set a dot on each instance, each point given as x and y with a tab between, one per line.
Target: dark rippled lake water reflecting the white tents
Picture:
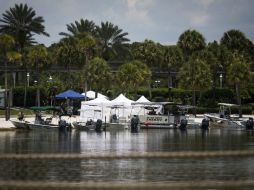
126	170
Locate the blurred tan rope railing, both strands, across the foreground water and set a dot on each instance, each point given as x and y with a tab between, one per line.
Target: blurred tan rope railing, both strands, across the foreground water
92	185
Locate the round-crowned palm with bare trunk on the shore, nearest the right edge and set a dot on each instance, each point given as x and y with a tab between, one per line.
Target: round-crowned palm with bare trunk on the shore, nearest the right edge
238	75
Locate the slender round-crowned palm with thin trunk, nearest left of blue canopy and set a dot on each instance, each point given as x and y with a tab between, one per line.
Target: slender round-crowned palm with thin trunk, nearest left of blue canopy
37	57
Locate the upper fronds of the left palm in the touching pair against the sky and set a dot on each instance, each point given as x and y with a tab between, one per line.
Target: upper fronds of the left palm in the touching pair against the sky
77	28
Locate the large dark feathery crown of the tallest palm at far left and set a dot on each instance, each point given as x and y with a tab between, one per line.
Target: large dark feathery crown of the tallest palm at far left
21	23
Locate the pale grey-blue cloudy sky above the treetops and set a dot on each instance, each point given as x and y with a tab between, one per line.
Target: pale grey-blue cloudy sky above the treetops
162	21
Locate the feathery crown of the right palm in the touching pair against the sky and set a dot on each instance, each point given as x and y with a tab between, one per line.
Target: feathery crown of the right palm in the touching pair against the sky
112	40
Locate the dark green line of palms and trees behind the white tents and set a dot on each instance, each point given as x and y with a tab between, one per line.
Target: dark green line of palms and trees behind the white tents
104	60
